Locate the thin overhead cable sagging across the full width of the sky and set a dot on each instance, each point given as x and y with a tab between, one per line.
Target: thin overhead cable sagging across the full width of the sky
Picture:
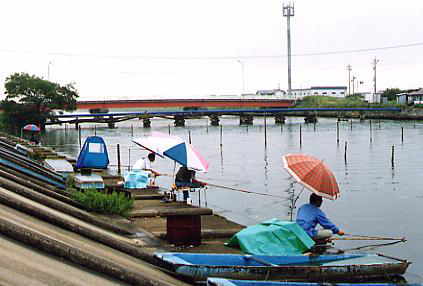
168	58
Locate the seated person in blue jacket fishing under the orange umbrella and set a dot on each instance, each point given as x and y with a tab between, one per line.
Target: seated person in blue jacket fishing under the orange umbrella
310	215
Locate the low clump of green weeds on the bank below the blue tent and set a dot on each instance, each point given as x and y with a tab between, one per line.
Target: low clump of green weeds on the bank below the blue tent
114	203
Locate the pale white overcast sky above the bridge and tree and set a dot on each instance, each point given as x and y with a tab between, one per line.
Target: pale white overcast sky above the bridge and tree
136	49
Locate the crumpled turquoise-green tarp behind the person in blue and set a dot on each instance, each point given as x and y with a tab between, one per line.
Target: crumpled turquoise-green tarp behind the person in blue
272	237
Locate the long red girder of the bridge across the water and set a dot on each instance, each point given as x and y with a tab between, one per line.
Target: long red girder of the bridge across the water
187	103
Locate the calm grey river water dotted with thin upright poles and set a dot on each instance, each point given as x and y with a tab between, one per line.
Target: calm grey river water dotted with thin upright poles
378	198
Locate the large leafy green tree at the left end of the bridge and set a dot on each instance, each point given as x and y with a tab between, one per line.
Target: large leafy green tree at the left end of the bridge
29	99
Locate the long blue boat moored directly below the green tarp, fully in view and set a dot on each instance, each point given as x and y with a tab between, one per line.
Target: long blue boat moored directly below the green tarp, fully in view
321	268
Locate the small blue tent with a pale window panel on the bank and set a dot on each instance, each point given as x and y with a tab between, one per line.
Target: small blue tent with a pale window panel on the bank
93	154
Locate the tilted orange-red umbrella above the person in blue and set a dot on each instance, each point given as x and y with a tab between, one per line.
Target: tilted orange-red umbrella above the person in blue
313	174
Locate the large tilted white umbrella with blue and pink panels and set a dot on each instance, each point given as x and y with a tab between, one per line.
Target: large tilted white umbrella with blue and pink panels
174	148
